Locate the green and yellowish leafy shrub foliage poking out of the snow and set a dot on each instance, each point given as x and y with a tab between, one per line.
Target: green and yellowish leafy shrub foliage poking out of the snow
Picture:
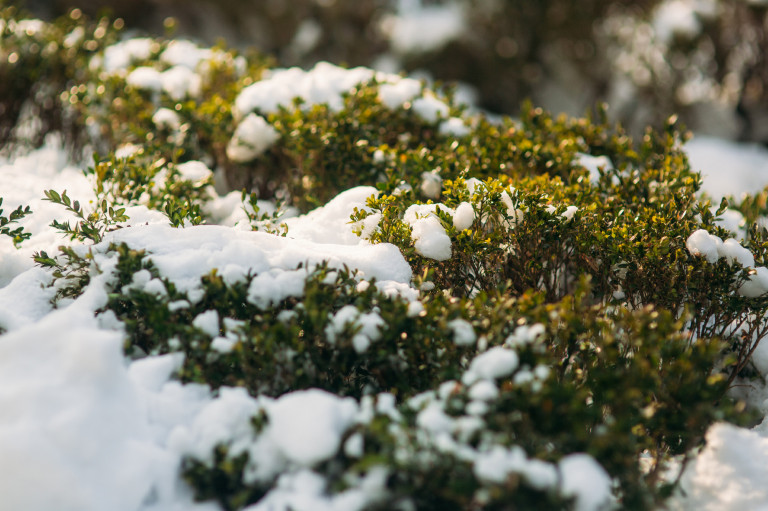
626	340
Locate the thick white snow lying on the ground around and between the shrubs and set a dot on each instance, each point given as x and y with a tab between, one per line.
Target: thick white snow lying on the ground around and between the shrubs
83	428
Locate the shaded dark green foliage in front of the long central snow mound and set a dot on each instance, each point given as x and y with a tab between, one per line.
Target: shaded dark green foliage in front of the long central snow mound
620	384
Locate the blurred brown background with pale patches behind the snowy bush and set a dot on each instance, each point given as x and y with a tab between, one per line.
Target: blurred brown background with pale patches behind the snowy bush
705	60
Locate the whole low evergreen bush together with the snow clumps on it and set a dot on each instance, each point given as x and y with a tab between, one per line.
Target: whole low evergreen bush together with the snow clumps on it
524	314
